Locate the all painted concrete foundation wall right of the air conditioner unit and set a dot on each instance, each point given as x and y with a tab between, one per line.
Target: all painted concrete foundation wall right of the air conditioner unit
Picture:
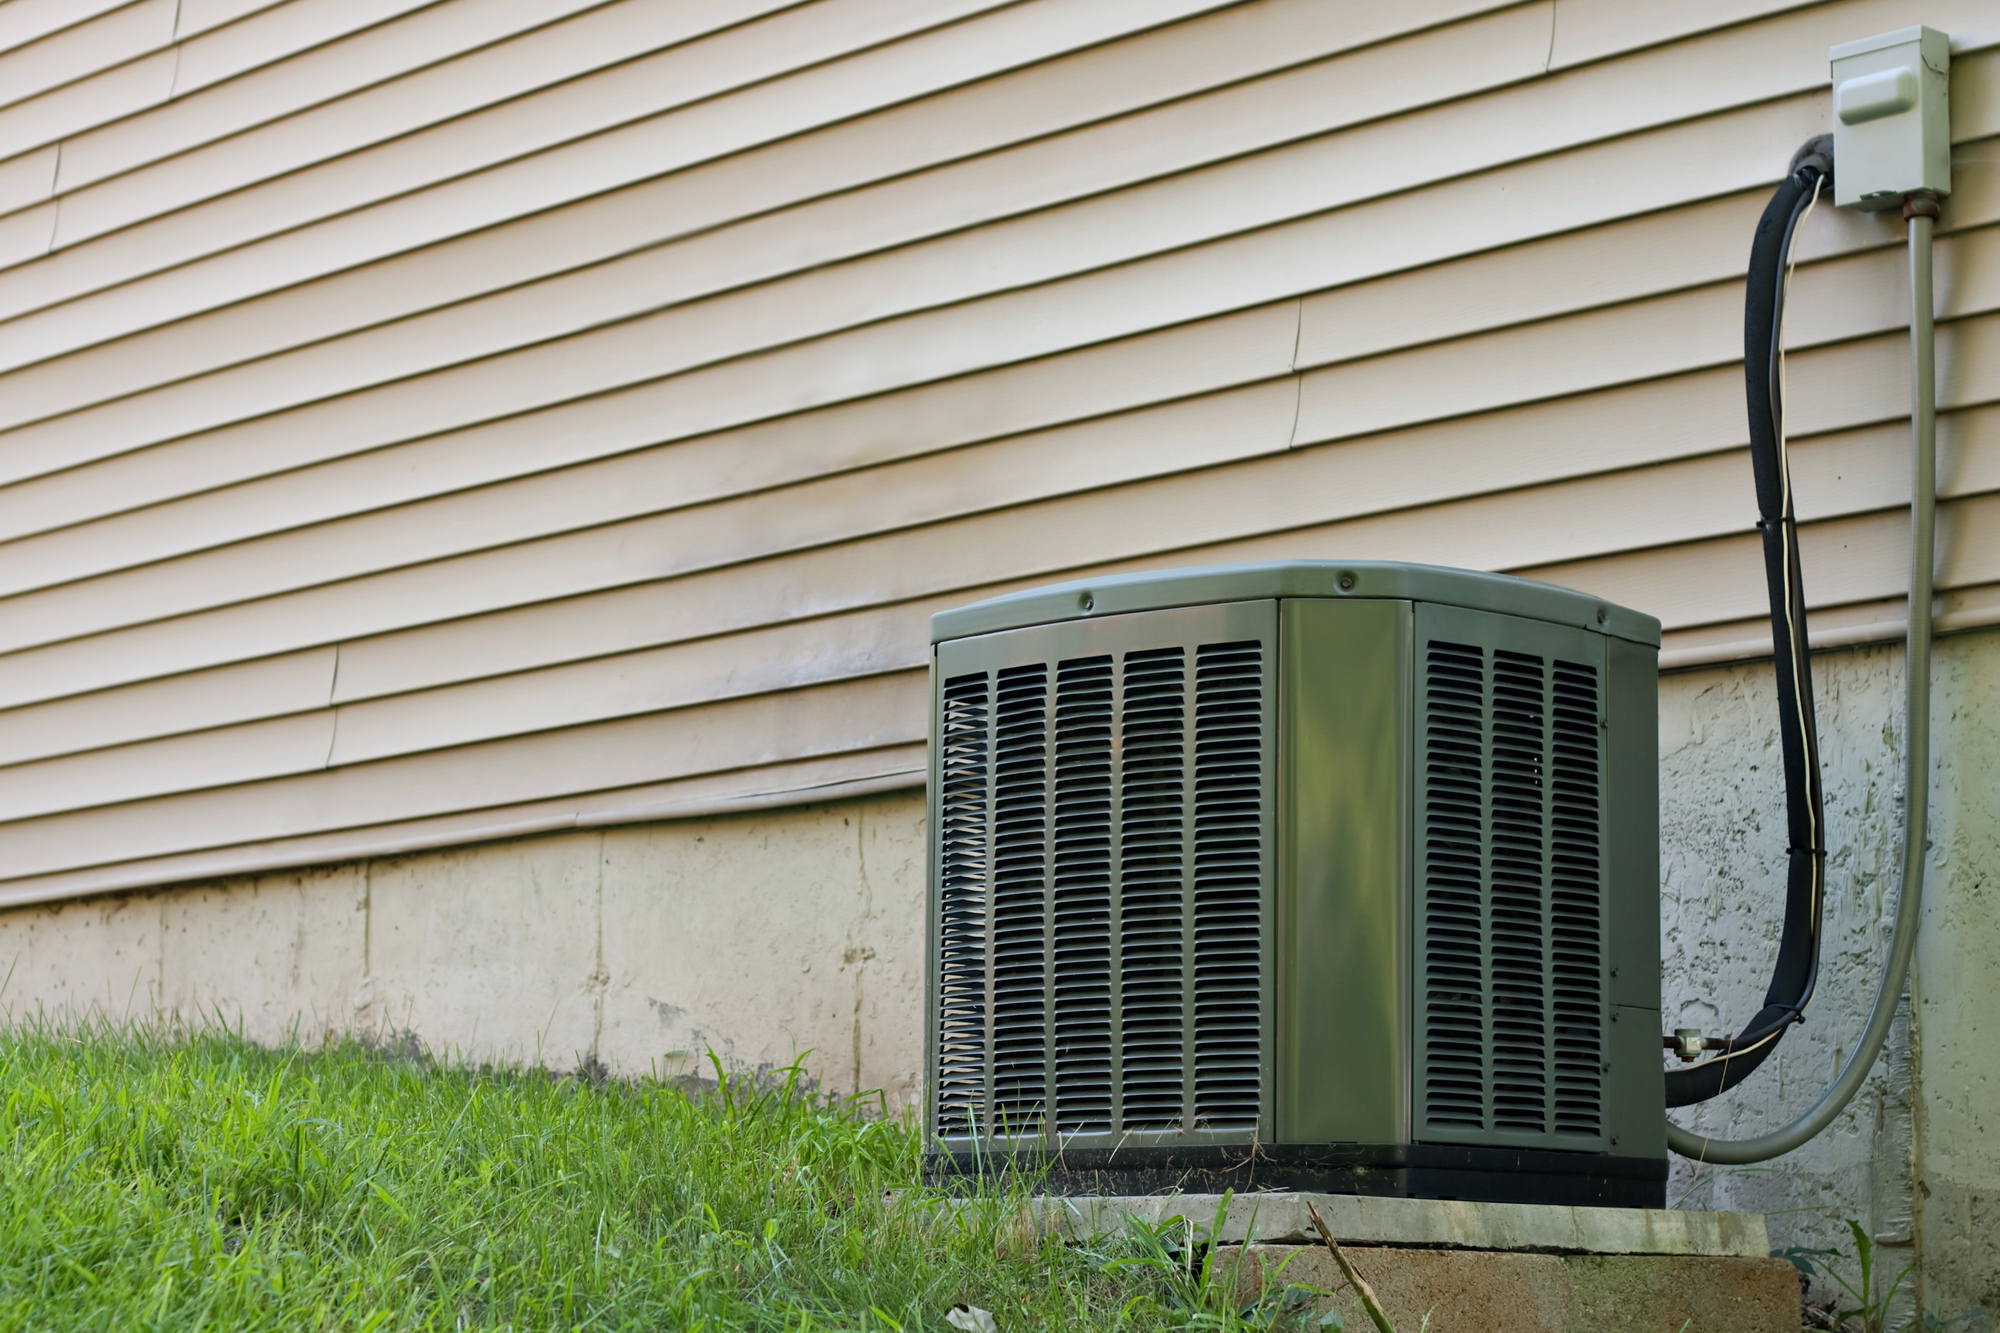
1915	1160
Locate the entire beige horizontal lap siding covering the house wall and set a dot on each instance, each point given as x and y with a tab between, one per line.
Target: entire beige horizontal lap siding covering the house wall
473	419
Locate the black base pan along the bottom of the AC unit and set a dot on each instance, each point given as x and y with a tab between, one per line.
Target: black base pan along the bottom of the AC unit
1395	1170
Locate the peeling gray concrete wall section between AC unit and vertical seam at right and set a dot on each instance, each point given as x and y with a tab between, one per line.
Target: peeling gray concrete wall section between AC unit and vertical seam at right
1723	890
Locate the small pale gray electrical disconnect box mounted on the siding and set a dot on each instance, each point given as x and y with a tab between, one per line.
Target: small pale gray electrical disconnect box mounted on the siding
1891	125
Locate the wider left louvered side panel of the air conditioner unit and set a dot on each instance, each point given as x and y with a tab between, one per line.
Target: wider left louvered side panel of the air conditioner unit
1121	904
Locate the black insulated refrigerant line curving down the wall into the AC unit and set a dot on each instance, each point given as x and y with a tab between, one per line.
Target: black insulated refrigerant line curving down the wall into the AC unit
1805	798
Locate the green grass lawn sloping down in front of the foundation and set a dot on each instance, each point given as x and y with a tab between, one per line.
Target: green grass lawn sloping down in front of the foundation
159	1180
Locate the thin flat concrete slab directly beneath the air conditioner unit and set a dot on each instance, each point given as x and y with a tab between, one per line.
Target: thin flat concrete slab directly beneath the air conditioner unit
1433	1224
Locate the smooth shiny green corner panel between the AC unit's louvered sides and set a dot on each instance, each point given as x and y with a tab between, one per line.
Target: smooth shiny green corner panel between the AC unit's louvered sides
1345	872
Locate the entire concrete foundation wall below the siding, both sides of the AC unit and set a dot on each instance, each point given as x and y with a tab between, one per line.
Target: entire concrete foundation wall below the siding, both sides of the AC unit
785	934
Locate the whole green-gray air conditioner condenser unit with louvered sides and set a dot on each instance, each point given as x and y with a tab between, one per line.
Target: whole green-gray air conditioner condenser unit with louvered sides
1335	876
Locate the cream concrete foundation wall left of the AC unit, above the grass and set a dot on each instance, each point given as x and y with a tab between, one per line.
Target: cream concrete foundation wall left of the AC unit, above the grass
761	938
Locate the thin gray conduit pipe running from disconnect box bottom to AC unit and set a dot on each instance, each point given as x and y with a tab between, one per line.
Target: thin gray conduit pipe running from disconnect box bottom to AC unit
1921	211
